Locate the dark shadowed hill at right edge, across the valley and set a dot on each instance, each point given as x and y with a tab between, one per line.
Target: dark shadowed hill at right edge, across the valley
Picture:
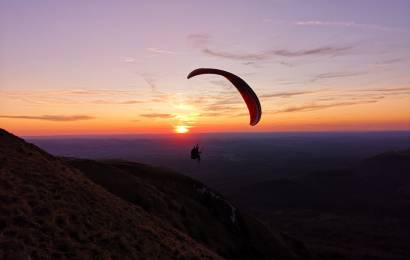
357	213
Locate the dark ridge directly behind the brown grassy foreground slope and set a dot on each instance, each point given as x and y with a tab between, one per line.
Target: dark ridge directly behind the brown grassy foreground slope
193	208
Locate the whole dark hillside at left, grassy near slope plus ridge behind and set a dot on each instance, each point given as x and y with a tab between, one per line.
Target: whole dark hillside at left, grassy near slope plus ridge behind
54	208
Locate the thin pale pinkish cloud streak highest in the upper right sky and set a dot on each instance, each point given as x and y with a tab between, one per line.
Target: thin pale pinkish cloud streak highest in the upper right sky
349	25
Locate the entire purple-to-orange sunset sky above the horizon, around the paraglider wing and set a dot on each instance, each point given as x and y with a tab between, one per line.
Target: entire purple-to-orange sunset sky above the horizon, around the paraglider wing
120	67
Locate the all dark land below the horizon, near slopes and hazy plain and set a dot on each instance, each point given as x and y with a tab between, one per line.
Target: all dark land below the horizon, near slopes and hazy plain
322	197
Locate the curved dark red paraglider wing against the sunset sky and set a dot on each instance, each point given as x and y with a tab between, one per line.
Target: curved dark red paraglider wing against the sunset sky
248	95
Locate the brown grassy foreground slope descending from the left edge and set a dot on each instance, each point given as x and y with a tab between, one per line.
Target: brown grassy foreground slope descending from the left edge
49	211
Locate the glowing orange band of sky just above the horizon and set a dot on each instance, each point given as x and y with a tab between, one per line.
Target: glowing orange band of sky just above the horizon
389	114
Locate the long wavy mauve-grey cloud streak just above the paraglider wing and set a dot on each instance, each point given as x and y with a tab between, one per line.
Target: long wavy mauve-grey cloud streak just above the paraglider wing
265	55
